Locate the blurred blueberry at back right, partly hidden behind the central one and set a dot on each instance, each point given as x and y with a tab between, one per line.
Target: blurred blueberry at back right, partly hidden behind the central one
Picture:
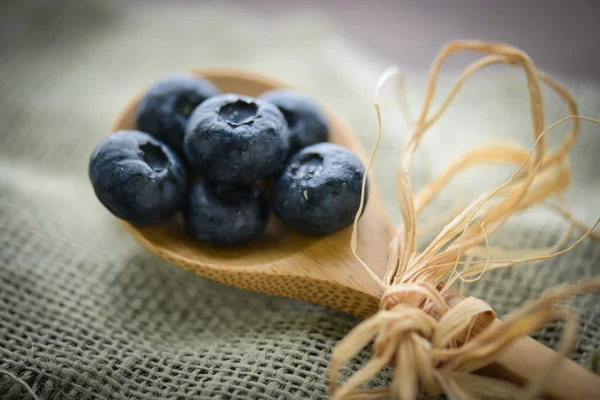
307	123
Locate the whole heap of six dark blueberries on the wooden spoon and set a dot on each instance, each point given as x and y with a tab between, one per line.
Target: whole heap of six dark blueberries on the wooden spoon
238	146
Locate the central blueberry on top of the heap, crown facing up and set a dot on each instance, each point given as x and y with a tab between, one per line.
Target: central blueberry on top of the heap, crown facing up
236	139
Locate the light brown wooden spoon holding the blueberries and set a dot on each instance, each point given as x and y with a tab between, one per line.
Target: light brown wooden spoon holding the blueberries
323	270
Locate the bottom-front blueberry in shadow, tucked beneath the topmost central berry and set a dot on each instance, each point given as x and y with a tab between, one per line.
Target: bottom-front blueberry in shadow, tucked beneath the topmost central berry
225	215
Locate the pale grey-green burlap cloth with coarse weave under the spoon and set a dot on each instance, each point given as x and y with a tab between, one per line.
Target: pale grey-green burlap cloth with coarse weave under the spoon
85	312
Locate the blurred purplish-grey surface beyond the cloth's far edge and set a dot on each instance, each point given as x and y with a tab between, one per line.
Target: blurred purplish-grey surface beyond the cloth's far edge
560	35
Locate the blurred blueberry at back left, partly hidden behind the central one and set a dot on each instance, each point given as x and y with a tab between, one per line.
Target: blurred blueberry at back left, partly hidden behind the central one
164	110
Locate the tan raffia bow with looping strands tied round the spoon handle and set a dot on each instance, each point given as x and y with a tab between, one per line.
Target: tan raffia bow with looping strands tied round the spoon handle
432	346
